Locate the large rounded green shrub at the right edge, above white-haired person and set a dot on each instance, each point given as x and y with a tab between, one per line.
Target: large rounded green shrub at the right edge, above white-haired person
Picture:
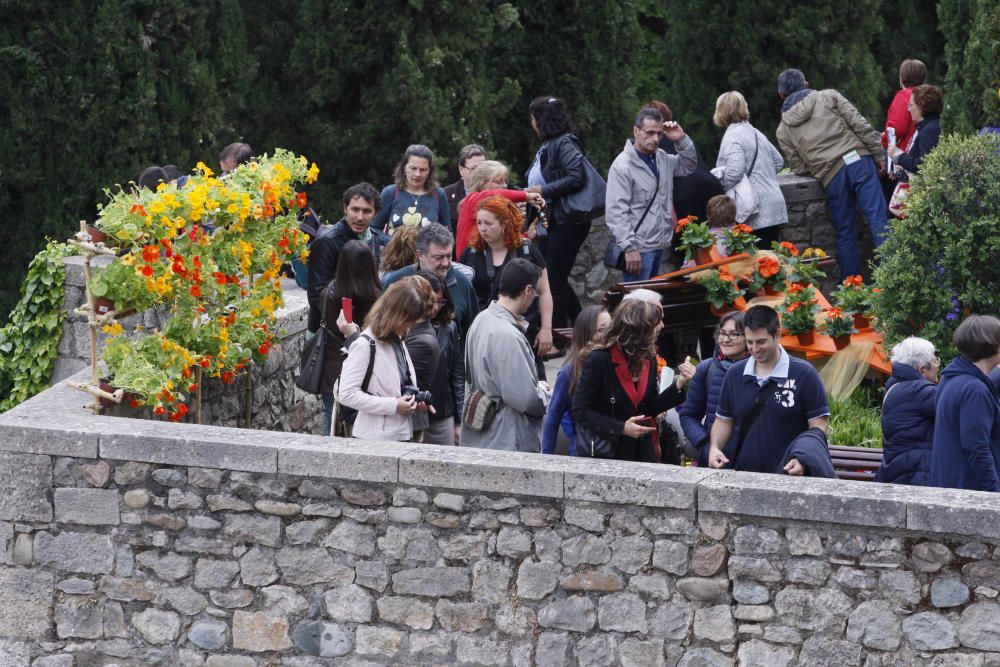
942	261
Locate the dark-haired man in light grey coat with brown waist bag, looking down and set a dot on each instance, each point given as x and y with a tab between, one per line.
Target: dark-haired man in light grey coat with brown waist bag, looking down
500	362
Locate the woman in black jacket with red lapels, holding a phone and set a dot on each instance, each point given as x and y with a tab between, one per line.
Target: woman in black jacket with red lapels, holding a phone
617	397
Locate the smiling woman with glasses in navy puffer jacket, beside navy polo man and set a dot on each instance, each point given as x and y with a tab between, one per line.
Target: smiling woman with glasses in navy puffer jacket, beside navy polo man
698	411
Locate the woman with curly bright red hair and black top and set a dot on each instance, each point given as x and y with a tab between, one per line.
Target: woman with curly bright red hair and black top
496	240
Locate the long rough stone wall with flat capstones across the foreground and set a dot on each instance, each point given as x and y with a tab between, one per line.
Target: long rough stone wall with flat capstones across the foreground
129	542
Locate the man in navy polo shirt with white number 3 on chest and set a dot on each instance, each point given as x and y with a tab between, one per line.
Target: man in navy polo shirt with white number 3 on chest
792	394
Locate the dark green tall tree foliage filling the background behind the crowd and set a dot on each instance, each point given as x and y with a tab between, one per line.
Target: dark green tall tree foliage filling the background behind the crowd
91	93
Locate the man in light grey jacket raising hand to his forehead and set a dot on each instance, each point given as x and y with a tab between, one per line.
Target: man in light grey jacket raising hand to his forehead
639	203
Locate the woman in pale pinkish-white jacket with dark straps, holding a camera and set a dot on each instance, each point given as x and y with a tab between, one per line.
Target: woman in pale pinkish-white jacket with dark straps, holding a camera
383	411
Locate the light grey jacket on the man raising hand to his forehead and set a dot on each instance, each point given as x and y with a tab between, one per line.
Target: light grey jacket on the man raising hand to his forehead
631	186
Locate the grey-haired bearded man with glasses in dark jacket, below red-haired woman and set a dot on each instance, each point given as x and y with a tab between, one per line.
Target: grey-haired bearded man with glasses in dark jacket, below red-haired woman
435	244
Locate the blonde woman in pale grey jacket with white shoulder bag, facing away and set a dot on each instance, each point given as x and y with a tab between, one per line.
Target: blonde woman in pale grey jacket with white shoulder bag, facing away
745	150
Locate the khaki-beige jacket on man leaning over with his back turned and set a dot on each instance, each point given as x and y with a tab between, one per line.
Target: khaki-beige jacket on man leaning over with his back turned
818	131
